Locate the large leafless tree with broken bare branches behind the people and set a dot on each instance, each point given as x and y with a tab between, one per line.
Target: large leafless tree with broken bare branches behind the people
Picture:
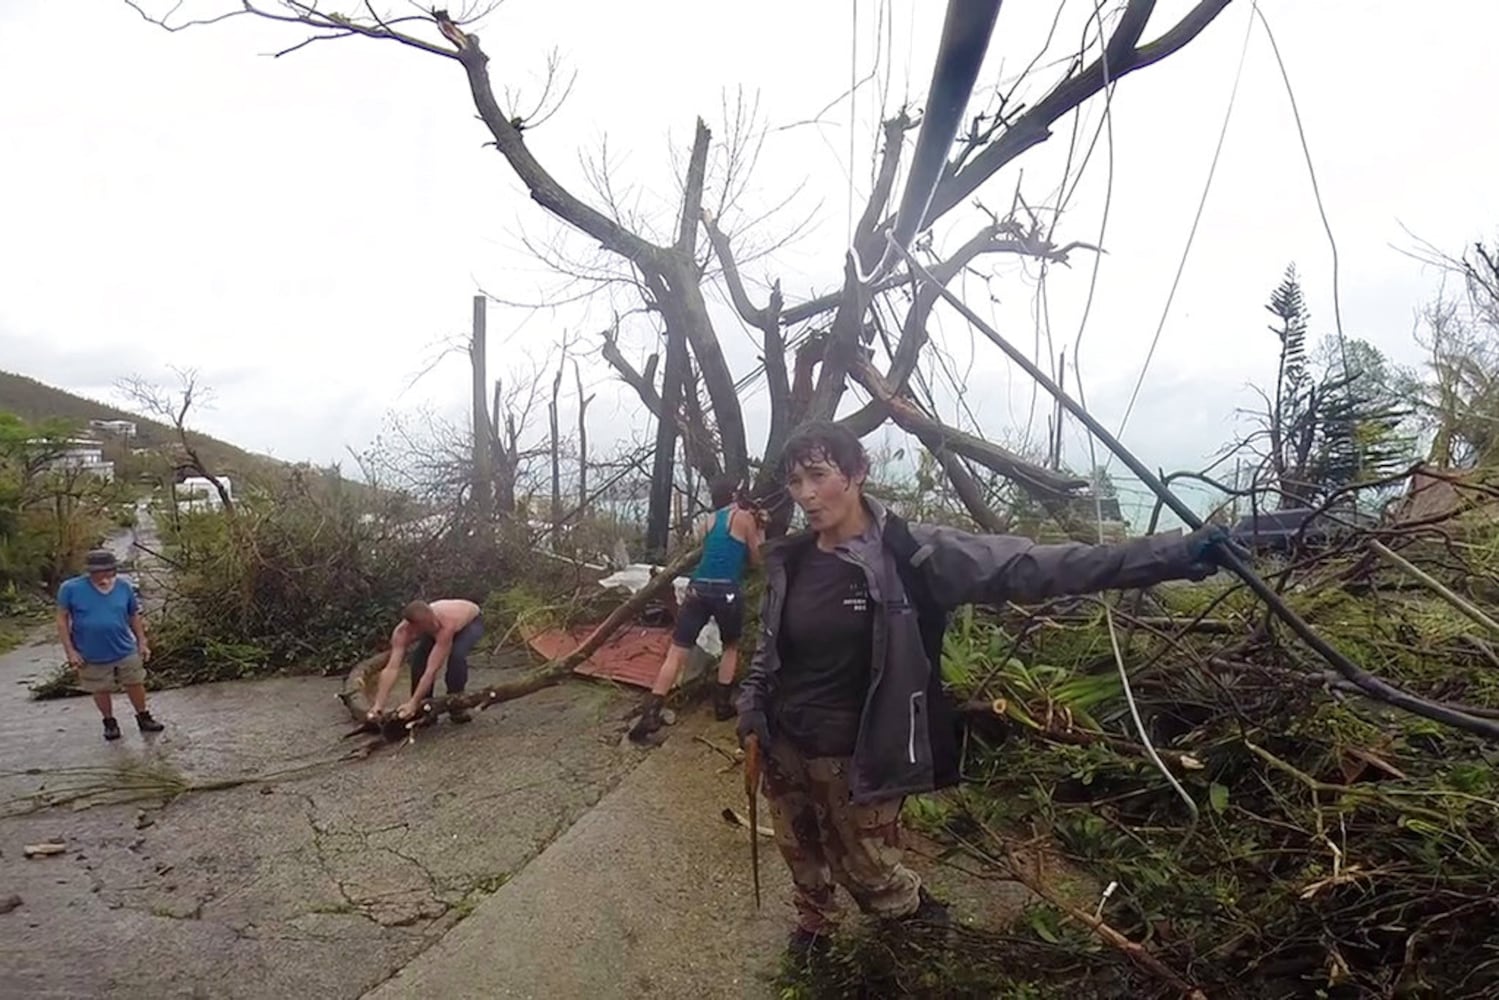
810	350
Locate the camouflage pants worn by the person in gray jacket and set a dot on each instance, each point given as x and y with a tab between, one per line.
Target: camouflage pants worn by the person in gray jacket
828	840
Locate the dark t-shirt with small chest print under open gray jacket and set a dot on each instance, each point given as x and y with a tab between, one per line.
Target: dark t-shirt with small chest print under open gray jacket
827	647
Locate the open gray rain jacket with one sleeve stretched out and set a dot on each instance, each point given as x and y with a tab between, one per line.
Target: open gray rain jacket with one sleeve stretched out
909	734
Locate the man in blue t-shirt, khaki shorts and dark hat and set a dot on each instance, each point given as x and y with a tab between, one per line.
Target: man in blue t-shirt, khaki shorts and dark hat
104	635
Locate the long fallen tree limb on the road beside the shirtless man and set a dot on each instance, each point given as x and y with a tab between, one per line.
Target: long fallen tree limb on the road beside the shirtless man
362	678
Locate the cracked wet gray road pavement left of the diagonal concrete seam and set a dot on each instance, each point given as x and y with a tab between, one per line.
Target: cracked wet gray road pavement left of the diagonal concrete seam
322	884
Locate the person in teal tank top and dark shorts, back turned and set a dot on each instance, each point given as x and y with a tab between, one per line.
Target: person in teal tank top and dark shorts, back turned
732	537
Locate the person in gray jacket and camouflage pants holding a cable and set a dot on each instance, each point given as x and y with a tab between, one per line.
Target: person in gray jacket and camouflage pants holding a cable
845	693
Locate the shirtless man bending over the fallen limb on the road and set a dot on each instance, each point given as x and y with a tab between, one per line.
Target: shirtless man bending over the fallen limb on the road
435	635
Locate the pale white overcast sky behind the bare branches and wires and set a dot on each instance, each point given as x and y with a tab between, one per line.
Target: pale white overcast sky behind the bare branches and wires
308	232
